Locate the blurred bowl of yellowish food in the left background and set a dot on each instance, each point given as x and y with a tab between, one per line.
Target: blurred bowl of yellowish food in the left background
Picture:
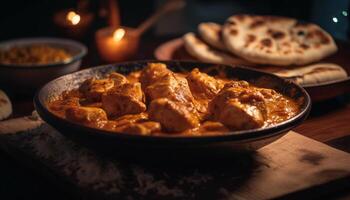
26	78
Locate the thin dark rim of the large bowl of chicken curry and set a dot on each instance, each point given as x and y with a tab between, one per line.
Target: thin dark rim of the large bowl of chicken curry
41	108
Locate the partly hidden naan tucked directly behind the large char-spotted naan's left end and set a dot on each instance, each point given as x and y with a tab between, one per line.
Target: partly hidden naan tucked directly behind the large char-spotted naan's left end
211	33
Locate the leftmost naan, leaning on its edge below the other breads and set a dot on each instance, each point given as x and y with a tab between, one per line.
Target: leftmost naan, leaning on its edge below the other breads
201	51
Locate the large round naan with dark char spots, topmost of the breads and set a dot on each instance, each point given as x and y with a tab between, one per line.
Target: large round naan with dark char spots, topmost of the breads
276	40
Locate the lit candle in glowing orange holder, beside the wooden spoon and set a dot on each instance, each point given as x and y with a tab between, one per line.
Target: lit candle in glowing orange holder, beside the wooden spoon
116	45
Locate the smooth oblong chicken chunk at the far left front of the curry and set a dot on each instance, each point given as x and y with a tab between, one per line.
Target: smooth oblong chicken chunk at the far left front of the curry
86	115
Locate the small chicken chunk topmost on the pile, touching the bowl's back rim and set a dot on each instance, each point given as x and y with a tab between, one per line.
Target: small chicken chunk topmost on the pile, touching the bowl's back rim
152	73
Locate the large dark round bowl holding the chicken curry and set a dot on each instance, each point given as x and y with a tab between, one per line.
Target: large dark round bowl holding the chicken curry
234	140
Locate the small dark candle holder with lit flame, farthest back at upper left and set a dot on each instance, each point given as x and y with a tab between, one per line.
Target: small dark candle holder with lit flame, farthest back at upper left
72	23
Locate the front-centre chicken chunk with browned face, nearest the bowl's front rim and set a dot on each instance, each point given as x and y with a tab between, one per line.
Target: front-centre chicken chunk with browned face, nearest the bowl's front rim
173	116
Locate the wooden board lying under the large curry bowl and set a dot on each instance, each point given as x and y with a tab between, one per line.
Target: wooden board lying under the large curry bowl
293	166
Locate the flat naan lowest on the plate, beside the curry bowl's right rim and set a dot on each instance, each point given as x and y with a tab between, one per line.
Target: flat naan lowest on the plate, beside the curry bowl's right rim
313	74
